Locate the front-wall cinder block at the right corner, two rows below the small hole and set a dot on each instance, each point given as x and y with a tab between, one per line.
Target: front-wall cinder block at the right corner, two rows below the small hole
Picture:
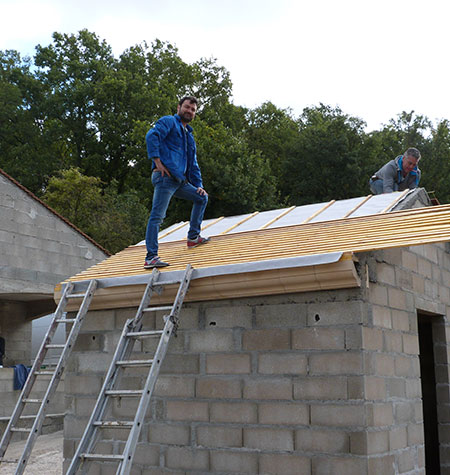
336	363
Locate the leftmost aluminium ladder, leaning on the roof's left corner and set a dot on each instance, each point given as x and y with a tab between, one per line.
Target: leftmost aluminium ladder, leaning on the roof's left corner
24	399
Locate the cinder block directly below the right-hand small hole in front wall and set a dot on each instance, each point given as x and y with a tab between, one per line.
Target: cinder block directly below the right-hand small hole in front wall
318	338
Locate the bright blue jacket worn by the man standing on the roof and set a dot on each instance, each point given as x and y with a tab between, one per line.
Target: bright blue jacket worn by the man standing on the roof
175	146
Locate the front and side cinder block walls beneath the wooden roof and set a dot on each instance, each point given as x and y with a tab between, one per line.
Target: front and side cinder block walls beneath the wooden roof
314	383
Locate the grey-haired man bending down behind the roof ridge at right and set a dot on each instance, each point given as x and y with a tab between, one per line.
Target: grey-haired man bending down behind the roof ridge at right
398	174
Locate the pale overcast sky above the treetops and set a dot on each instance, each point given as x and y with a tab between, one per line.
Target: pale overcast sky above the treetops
373	59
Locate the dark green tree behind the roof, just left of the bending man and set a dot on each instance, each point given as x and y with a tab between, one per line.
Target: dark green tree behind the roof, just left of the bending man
326	163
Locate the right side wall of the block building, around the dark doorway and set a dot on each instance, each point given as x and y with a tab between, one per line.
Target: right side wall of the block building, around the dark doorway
403	283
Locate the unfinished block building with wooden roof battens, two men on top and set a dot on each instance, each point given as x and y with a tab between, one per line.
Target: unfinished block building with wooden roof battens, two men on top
313	340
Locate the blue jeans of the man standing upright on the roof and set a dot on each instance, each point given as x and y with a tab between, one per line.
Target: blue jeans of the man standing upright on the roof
164	188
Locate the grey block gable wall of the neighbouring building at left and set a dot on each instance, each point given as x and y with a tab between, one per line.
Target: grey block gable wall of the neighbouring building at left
38	248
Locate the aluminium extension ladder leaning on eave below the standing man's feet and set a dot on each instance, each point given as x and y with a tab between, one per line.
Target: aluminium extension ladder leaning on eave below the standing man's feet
132	332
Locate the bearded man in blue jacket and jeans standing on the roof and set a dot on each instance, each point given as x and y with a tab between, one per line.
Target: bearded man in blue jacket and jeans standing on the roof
171	147
